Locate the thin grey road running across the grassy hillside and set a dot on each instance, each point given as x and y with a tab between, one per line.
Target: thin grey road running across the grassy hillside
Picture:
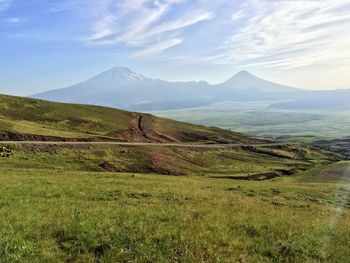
228	145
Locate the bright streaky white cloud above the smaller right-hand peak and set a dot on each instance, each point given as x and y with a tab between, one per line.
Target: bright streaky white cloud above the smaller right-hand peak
290	34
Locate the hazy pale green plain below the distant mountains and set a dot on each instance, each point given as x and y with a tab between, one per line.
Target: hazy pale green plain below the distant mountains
260	119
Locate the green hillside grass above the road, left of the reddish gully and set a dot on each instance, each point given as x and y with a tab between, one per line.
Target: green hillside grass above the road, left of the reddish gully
45	118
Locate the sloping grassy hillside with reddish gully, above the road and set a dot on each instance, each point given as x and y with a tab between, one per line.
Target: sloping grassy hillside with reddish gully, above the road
31	119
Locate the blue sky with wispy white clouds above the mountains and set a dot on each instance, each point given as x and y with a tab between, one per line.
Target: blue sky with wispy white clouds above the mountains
50	44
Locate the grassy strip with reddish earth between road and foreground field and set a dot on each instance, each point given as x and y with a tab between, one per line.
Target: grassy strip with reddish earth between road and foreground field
164	160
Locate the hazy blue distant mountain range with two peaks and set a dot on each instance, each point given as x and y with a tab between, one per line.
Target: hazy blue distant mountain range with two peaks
120	87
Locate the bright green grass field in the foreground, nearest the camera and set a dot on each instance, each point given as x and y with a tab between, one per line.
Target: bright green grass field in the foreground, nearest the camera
61	216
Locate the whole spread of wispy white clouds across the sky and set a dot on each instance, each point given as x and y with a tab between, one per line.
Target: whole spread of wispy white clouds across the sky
268	33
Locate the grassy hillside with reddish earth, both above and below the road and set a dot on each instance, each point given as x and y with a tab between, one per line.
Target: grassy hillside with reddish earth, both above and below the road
30	119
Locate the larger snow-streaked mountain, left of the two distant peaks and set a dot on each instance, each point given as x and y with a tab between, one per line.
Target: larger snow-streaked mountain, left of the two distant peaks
121	88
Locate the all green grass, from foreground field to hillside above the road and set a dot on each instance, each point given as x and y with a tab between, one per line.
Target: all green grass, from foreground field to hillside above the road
57	204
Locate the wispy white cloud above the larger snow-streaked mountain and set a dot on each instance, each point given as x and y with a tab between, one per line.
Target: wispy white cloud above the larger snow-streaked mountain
144	24
